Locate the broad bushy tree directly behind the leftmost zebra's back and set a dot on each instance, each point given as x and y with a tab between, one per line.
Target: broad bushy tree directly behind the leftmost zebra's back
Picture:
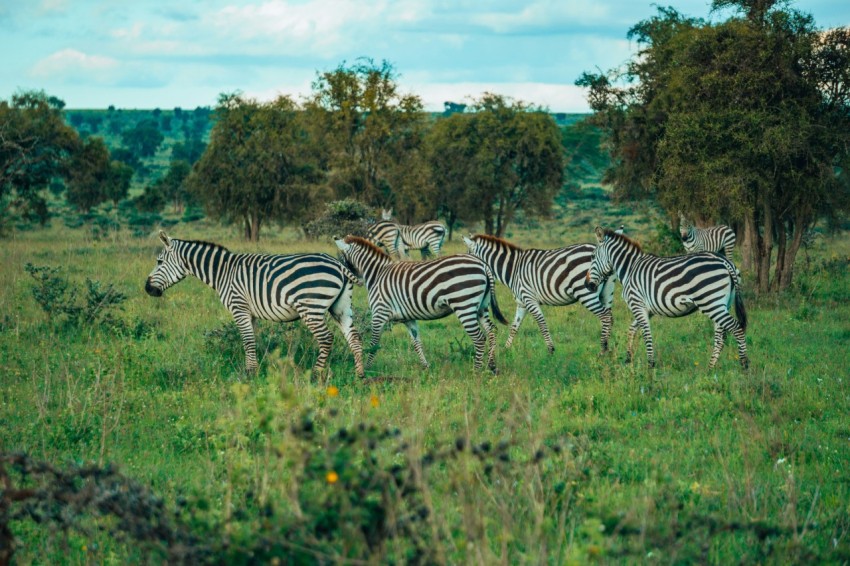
257	166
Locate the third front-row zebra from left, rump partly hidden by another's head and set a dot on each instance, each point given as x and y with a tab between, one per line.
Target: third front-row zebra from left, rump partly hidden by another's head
545	277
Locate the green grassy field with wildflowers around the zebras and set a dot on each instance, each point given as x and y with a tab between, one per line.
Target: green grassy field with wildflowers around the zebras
570	458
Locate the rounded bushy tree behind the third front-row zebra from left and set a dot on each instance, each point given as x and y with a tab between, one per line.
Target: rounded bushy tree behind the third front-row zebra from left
510	158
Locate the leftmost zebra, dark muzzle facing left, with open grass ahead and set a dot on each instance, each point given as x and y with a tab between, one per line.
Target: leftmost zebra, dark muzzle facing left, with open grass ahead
282	288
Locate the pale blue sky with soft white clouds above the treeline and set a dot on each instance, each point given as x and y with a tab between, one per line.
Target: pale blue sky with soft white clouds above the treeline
155	54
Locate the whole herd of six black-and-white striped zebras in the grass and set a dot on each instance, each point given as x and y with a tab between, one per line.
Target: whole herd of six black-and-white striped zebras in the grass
309	286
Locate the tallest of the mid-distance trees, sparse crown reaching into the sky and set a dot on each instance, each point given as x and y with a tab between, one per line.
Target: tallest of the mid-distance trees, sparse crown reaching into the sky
372	134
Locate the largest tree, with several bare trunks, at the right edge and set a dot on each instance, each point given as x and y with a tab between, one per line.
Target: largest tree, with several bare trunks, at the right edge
746	120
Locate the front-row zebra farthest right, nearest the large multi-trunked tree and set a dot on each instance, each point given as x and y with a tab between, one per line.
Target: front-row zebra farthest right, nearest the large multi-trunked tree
672	287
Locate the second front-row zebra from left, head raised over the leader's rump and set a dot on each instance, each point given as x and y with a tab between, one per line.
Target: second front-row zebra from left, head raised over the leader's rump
408	292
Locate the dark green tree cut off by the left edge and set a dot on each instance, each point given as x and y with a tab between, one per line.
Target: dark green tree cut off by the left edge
35	142
